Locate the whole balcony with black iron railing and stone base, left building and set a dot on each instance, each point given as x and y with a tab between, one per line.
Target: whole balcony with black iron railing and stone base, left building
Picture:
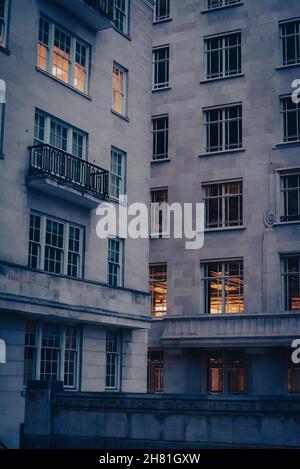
56	172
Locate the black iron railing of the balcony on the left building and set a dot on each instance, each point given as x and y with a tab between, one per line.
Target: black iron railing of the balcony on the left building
63	167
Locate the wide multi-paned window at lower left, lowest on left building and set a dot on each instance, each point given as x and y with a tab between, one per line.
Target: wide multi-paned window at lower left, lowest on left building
51	353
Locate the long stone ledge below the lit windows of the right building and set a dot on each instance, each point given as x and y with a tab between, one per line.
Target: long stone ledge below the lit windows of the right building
263	329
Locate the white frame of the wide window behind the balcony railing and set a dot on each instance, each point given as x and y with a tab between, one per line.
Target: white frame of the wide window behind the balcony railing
70	131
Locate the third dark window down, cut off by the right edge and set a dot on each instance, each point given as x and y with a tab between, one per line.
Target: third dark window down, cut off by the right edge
290	188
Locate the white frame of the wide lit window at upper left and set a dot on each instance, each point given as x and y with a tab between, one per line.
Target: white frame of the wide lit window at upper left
72	57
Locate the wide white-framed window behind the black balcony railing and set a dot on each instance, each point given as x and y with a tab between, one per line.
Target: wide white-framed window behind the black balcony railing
48	129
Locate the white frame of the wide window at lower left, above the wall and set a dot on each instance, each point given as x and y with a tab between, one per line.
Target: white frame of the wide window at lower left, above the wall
62	349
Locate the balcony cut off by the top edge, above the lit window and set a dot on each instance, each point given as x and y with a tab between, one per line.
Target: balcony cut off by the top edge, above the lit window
97	14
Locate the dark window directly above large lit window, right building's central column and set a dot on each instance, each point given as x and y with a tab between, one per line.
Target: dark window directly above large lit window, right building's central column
223	205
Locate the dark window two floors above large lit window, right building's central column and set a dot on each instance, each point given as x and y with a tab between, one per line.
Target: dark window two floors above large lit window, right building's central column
223	128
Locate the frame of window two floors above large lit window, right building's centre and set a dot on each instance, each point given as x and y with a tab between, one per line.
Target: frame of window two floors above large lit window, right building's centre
223	123
